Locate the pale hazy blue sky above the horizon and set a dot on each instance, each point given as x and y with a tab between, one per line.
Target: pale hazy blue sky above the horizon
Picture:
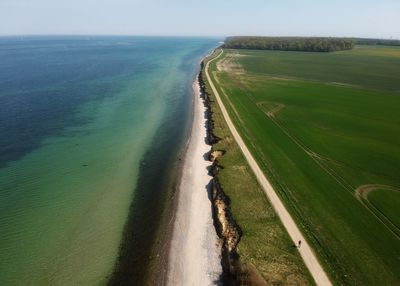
341	18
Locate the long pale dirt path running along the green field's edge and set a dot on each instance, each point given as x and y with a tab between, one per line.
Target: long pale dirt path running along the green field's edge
305	250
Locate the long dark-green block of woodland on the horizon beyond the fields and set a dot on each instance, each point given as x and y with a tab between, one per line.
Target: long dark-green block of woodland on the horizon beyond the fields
289	44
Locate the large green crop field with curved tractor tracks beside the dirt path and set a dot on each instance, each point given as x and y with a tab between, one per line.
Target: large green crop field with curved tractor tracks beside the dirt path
325	129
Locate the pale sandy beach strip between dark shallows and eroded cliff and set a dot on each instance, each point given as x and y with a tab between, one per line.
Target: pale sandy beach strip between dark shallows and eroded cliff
194	257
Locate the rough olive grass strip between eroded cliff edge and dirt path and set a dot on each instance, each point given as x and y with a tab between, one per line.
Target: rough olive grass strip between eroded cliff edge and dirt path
265	245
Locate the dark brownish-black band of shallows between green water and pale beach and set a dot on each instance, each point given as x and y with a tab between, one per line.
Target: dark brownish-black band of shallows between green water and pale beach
147	233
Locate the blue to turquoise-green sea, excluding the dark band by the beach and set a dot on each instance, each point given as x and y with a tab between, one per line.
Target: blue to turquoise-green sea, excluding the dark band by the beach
77	115
